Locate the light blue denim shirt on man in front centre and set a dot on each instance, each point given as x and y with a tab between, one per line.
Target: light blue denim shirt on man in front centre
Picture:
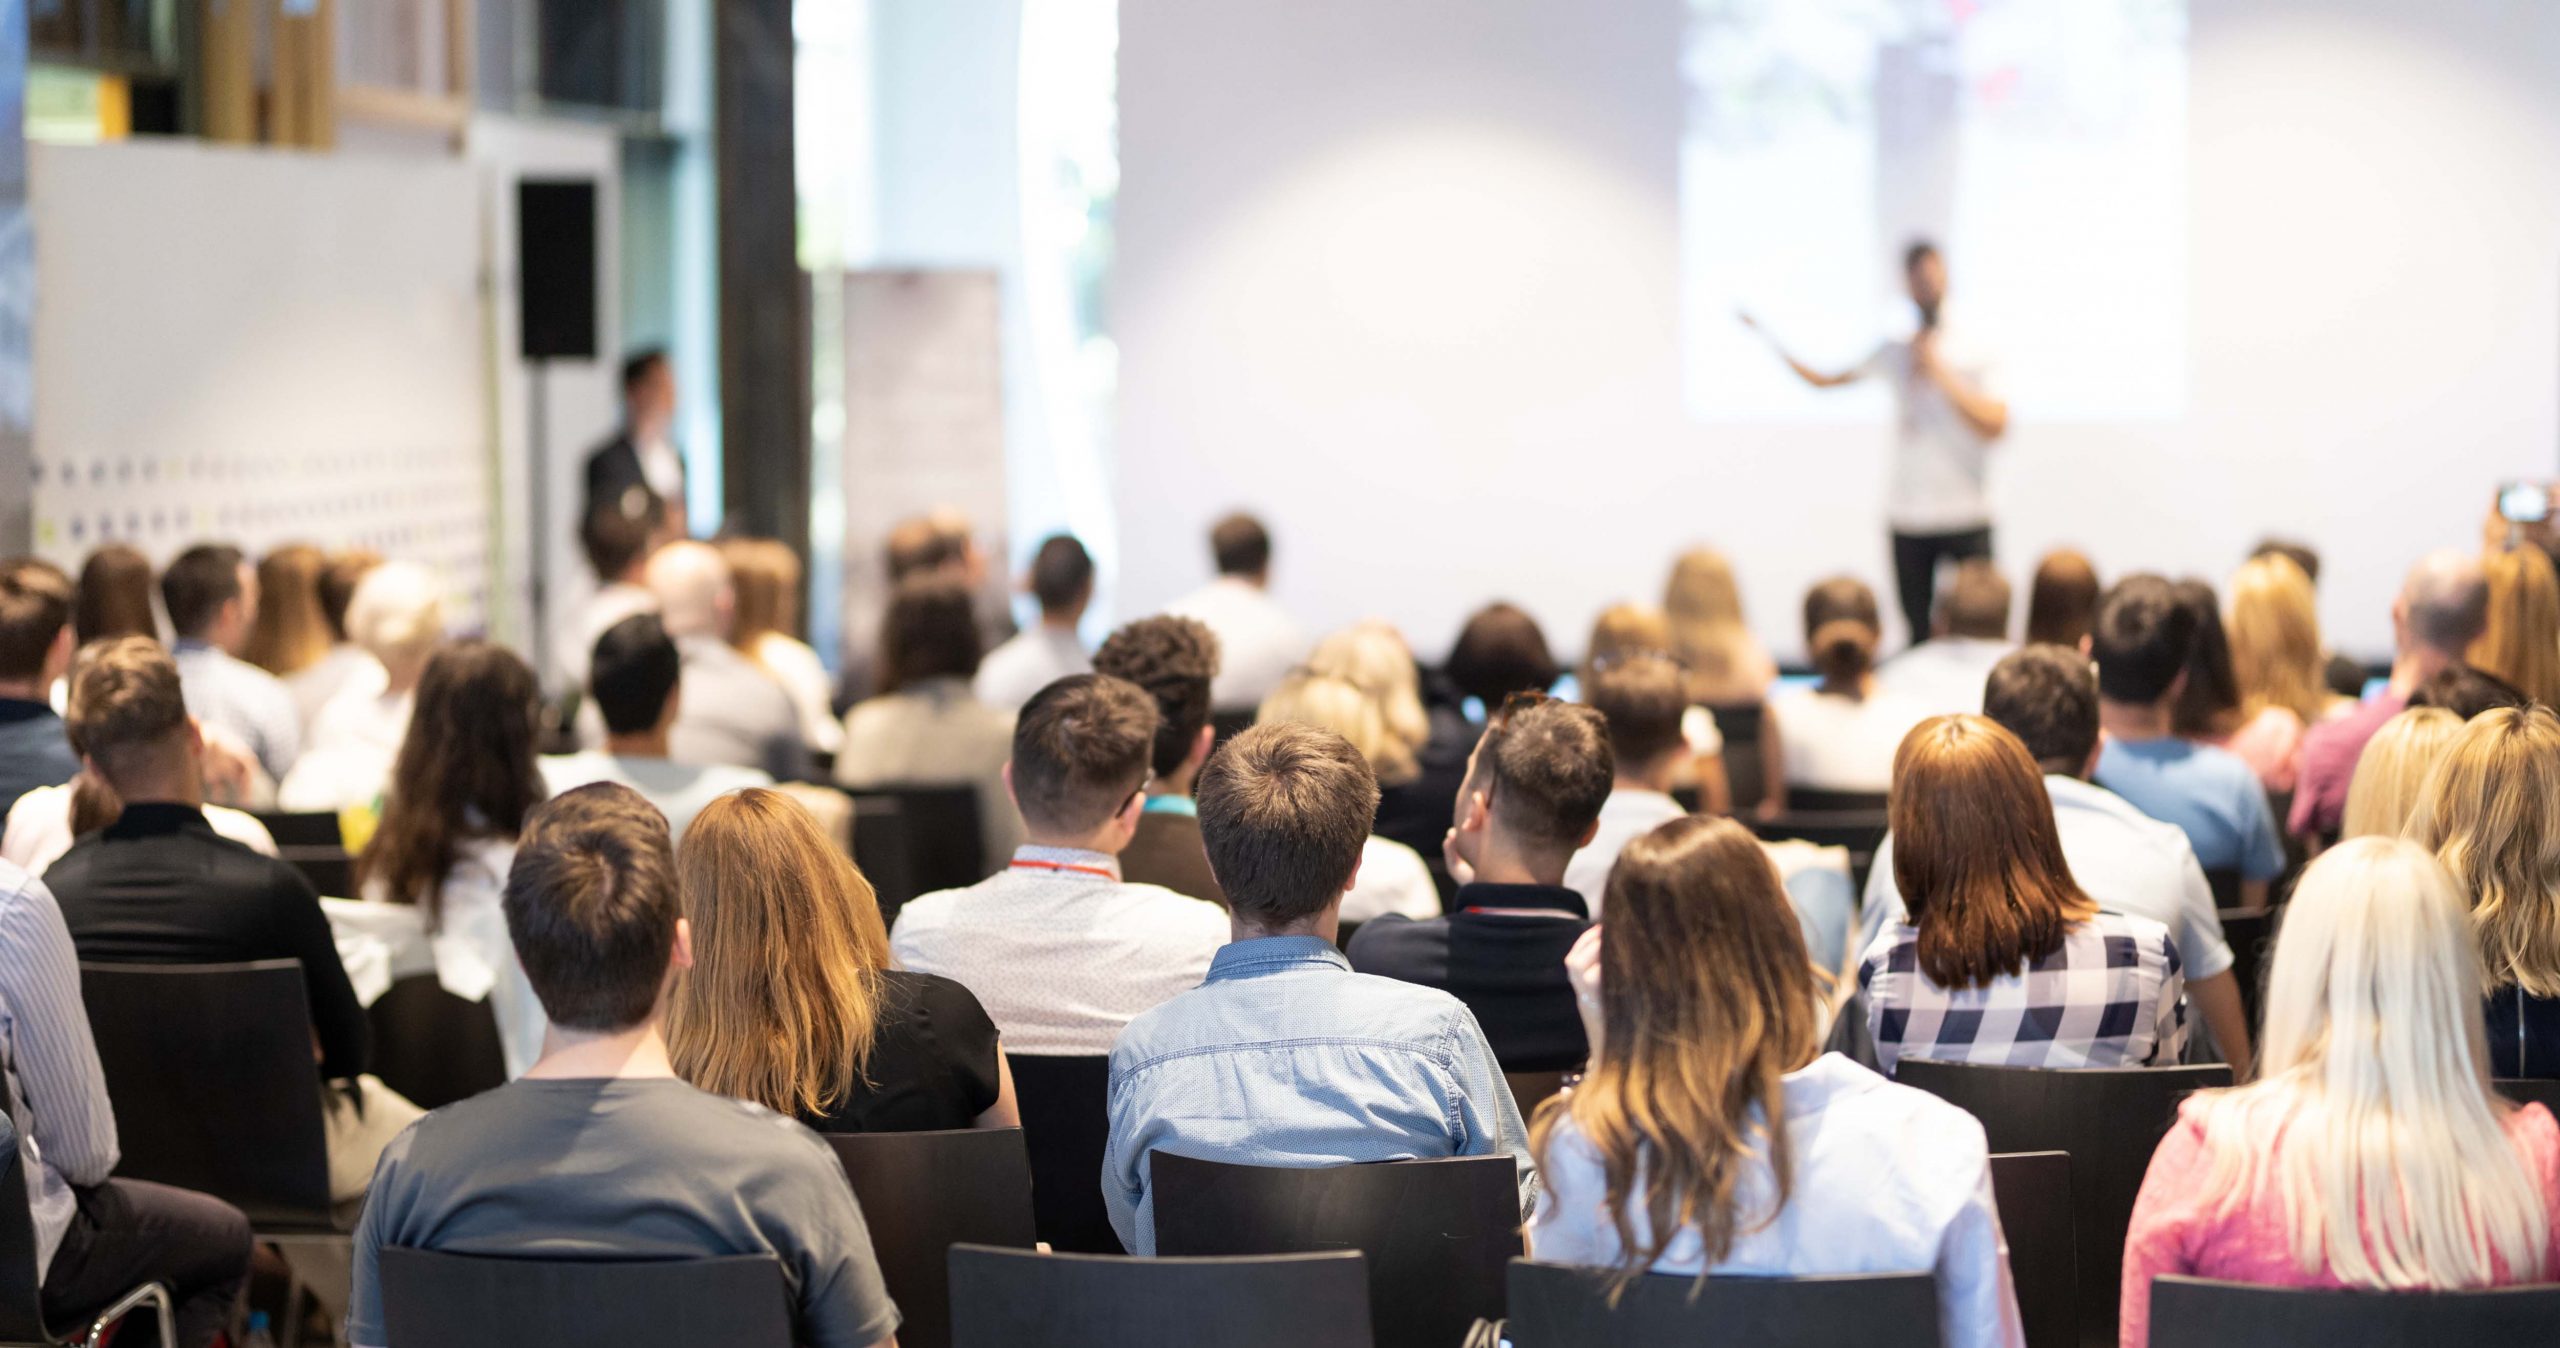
1286	1058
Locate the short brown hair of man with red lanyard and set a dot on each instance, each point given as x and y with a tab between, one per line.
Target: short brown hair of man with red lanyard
1082	751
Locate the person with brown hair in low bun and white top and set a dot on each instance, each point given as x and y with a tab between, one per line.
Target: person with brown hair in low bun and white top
1842	735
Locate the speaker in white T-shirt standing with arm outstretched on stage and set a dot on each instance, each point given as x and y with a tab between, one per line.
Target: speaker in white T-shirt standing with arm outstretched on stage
1947	418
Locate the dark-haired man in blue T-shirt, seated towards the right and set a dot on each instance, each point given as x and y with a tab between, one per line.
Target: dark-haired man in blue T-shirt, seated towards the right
2144	646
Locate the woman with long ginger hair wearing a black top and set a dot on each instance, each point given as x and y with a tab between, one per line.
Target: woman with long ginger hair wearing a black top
792	1001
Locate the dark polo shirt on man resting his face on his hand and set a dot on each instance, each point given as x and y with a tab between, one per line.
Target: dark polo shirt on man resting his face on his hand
1507	968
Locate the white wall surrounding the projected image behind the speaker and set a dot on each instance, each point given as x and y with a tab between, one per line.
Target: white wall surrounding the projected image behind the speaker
1404	278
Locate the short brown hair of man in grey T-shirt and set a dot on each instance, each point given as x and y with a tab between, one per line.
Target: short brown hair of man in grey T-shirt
593	907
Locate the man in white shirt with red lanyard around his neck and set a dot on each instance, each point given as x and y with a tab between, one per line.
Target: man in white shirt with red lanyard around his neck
1059	948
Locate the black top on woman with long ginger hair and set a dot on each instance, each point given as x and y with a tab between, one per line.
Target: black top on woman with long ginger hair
933	1063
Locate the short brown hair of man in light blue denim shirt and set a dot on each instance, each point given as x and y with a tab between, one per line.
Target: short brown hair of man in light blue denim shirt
1284	815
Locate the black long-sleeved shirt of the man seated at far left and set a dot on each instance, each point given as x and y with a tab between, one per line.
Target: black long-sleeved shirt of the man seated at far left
163	889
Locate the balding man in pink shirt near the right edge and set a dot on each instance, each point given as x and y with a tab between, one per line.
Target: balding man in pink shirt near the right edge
2441	610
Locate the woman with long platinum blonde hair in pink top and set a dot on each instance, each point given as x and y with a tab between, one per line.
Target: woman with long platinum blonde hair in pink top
2372	1150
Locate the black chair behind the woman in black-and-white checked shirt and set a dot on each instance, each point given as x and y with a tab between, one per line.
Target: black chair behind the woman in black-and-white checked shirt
2111	1122
